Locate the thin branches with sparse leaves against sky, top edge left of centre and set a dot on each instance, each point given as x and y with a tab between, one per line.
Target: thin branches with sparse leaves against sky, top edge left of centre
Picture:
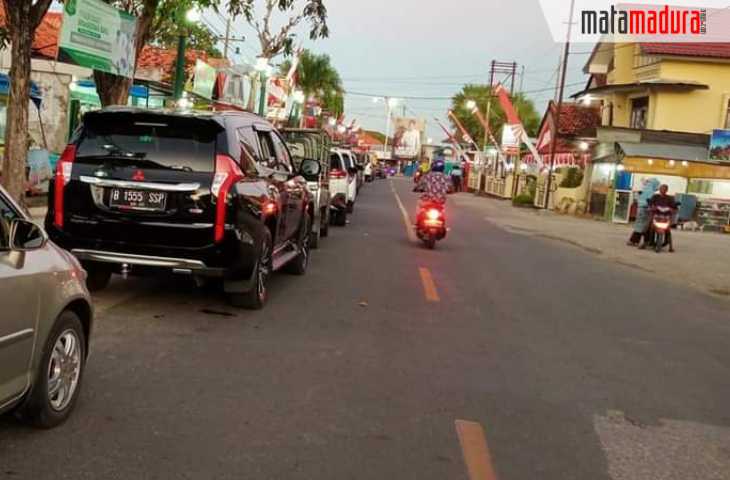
311	11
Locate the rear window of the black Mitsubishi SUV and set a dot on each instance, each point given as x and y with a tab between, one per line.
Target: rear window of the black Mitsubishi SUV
162	142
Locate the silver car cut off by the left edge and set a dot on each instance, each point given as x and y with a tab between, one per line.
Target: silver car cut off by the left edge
45	321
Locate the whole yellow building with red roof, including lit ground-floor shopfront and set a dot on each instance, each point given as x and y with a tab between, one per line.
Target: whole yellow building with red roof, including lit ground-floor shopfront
659	103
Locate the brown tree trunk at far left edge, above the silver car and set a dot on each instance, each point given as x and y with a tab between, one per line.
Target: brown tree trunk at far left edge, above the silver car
22	18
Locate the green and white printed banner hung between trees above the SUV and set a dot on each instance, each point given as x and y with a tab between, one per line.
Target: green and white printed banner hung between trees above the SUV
98	36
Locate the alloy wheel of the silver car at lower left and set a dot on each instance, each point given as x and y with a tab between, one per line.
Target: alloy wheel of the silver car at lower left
64	370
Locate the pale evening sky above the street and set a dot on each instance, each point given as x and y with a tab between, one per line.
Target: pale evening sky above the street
430	48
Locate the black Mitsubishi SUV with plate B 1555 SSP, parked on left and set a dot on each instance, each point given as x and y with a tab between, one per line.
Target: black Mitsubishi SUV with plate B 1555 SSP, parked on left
200	193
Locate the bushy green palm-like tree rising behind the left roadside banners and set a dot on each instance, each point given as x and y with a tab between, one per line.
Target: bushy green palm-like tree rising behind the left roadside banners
318	78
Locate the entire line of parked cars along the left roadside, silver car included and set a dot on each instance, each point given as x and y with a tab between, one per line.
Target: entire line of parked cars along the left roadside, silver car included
213	195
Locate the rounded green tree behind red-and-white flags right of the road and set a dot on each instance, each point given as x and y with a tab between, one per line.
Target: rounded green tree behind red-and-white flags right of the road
480	94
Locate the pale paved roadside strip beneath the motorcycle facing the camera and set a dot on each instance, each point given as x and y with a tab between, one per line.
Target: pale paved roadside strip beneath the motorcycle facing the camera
700	261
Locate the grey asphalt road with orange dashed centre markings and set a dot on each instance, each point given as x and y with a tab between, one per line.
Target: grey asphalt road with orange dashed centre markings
564	366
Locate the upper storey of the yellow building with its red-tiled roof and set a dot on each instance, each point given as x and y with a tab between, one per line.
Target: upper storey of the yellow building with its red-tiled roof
682	87
